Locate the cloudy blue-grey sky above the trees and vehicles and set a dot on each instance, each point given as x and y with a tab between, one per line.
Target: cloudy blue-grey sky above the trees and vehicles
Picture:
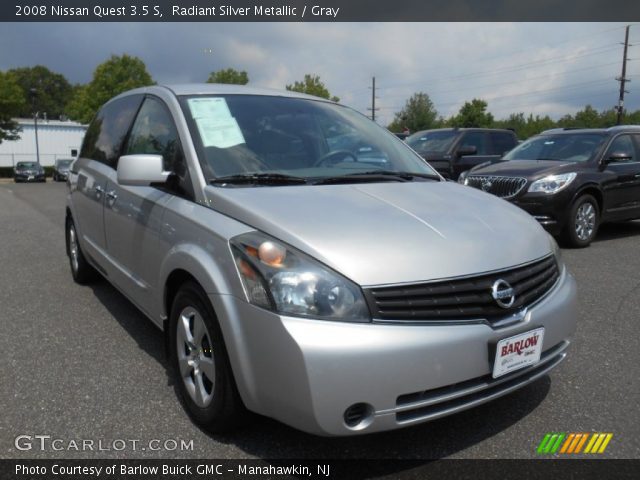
540	68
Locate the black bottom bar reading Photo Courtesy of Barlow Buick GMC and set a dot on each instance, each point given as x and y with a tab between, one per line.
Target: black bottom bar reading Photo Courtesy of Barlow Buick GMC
317	469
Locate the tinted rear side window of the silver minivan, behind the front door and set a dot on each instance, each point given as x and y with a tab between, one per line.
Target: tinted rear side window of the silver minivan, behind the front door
104	137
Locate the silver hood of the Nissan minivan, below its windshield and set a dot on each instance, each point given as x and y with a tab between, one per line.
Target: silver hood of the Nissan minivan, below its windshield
388	233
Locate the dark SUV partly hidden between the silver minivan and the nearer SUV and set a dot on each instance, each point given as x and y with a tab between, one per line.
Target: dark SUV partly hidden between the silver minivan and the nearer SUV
452	151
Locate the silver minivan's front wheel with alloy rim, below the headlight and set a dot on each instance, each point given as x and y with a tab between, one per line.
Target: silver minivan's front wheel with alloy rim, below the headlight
200	363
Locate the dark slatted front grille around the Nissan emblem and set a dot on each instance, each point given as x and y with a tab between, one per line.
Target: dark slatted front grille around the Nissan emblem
464	299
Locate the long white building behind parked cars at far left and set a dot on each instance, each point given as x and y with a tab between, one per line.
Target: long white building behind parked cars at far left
56	139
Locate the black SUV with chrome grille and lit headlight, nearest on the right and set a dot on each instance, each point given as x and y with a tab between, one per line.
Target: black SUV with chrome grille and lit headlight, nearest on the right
570	180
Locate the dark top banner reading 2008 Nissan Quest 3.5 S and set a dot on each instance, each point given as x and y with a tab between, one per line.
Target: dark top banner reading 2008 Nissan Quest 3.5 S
317	10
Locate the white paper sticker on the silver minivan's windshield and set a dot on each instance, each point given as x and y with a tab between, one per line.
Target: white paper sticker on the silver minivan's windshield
216	125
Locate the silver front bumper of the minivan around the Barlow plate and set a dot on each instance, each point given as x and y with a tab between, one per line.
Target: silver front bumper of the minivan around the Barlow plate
307	373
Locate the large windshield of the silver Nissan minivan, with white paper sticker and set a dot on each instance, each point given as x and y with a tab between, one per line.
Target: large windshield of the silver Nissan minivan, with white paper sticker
308	139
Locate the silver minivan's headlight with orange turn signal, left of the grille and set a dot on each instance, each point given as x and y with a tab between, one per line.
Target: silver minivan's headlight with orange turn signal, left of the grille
286	281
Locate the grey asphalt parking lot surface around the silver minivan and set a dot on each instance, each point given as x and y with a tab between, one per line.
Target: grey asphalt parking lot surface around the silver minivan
83	363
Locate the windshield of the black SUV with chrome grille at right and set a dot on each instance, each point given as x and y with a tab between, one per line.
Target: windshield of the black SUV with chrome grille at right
578	147
